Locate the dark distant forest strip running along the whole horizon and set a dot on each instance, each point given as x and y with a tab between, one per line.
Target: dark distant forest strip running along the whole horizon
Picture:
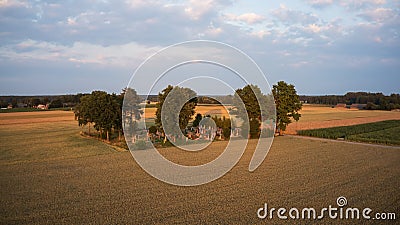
370	101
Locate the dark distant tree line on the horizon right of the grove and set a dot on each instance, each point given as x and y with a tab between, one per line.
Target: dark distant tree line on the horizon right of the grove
371	100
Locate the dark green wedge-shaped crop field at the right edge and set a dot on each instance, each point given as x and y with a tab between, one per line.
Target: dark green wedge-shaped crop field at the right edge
386	132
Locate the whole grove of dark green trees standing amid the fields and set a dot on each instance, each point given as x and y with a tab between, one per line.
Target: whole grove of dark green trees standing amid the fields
104	111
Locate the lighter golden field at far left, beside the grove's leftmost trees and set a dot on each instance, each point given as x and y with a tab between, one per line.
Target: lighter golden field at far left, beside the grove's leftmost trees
42	136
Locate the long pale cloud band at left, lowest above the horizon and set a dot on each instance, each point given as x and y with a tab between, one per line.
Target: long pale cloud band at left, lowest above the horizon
124	55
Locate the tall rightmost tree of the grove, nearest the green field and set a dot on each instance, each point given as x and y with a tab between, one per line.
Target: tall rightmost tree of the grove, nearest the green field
287	104
